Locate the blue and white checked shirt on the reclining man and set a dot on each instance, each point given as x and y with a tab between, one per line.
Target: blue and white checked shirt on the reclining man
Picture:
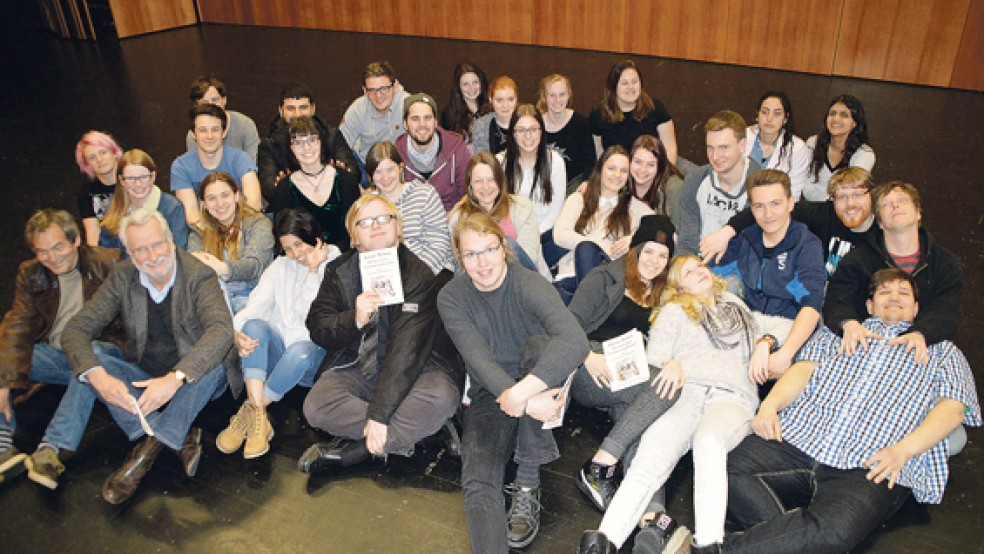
853	406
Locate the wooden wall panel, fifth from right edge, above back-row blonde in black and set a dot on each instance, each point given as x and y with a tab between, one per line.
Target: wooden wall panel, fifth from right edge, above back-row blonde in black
588	24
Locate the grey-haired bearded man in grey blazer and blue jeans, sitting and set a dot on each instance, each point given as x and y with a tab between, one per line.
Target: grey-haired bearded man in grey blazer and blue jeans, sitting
178	352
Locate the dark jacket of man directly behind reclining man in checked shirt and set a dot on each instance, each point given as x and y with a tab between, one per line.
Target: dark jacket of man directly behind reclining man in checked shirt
939	278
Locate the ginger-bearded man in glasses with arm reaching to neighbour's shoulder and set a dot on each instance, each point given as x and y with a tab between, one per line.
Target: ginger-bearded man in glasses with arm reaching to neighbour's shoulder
844	220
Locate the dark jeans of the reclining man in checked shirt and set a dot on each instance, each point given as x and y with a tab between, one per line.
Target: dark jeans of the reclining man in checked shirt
844	507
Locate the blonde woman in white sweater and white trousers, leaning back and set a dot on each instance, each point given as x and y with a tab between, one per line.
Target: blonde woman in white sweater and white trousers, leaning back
712	350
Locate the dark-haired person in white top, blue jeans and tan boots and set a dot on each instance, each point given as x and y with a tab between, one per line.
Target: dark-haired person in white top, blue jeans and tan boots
271	336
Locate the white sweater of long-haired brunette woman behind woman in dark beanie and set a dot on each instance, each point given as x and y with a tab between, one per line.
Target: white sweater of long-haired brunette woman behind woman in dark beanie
566	237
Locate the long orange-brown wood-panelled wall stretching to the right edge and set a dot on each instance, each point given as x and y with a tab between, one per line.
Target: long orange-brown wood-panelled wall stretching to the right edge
929	42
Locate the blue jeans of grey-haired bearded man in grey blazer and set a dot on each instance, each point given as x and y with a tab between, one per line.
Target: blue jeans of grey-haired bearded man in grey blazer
172	421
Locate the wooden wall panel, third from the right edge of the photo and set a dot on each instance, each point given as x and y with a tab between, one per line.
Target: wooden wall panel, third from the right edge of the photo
799	36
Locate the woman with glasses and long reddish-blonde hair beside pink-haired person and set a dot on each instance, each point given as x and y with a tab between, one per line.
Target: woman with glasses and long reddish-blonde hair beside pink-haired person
136	188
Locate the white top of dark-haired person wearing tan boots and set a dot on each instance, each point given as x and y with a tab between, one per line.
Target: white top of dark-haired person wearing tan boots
283	297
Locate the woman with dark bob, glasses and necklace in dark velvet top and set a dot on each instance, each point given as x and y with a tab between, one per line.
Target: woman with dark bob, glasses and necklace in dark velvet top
314	183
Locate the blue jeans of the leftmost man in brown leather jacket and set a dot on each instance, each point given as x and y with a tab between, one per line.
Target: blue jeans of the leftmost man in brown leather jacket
49	365
